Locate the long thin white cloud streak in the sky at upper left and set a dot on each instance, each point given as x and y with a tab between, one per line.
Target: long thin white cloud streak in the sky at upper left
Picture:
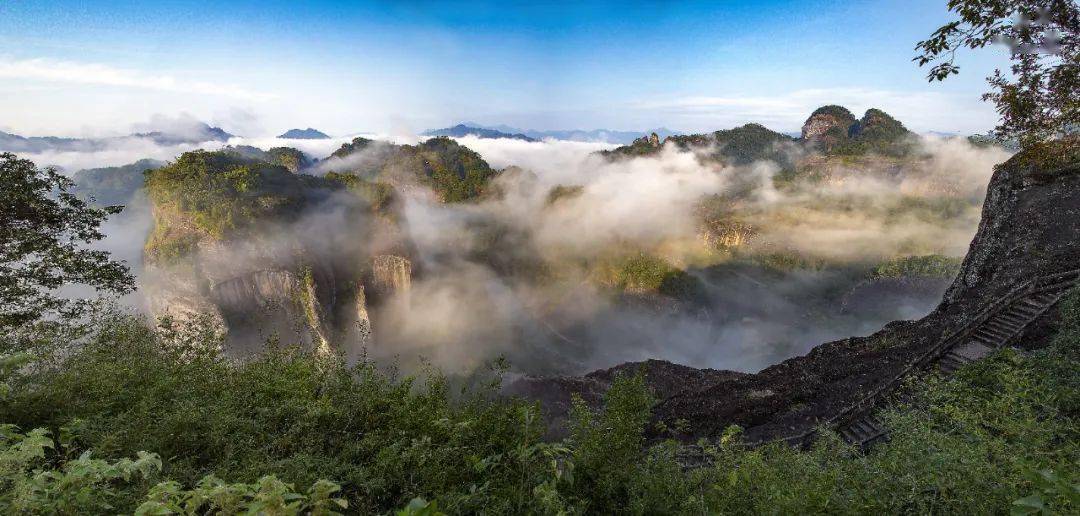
55	71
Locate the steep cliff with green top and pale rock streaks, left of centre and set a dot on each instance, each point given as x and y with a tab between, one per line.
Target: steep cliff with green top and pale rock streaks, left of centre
252	247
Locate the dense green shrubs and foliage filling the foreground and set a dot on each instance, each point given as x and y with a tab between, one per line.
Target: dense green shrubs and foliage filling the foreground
155	420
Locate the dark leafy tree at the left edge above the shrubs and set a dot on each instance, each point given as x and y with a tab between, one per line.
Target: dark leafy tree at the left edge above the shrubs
45	237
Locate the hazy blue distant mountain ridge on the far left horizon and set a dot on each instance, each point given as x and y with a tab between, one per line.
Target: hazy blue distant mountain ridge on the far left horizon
197	134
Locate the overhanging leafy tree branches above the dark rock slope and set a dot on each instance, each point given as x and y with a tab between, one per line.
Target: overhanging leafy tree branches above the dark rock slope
1041	99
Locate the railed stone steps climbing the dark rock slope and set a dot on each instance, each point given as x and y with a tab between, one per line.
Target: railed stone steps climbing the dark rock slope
997	331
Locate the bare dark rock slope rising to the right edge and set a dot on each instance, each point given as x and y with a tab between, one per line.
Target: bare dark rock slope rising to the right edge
1031	227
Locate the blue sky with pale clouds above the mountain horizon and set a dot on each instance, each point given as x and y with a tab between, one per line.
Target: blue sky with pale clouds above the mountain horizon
258	69
